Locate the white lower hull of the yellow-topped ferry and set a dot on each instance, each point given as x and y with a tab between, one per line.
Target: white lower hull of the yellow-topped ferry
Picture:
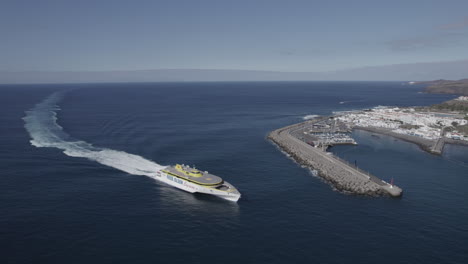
231	194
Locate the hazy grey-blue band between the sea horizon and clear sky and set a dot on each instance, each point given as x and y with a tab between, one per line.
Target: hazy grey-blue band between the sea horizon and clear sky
419	71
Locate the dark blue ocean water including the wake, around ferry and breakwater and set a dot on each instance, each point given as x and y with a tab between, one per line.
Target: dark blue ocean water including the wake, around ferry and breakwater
97	202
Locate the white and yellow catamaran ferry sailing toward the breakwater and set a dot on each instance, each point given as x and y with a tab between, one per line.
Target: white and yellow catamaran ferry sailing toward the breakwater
192	180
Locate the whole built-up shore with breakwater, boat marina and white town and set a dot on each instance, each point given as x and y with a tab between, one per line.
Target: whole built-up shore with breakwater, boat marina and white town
307	142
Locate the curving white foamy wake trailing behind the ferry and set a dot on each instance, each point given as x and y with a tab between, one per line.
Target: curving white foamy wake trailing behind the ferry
41	123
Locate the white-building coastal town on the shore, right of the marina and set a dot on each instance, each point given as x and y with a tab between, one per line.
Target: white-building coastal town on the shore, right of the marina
422	126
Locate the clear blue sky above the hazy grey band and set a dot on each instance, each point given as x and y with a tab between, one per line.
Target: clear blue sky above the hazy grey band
251	35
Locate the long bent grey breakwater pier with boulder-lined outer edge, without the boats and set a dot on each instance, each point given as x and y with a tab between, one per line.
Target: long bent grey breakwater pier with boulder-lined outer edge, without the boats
337	172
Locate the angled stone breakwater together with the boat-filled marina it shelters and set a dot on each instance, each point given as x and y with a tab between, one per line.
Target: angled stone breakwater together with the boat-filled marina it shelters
305	147
